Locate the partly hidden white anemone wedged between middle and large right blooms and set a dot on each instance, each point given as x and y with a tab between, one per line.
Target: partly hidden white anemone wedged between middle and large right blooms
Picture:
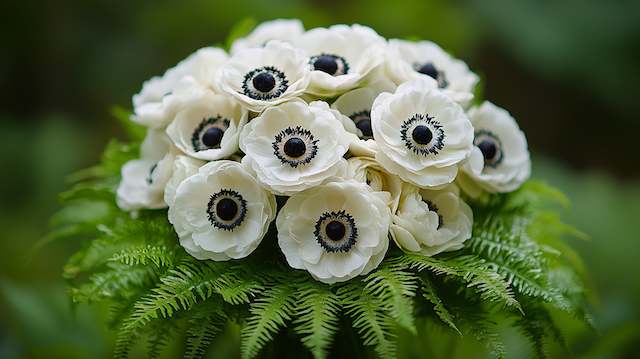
356	106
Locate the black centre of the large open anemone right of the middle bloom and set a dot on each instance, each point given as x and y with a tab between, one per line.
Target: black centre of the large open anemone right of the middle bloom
423	135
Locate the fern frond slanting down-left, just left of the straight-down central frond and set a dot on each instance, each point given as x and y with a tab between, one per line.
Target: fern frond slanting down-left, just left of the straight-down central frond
267	315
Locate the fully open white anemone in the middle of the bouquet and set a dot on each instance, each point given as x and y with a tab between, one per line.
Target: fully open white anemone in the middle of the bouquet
295	146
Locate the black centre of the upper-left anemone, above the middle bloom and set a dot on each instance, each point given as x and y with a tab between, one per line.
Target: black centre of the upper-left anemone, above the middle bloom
265	83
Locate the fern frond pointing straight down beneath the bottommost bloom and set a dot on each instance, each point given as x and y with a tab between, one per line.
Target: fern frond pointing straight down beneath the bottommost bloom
317	318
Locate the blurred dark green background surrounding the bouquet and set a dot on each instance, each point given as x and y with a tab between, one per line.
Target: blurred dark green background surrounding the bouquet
567	70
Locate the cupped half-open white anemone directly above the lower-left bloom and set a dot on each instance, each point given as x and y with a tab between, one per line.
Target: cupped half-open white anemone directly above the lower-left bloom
208	127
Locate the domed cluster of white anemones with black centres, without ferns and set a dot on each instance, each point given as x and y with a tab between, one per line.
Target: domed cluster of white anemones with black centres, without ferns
362	140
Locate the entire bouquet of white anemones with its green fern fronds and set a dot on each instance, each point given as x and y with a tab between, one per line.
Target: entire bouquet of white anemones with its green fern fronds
318	184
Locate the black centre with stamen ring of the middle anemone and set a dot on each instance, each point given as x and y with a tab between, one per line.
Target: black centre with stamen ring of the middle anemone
295	146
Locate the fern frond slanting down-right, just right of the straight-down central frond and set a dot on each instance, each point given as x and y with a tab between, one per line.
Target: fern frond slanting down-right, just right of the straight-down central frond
373	325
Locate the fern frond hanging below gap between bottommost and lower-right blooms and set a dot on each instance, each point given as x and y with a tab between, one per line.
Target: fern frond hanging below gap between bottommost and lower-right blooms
395	288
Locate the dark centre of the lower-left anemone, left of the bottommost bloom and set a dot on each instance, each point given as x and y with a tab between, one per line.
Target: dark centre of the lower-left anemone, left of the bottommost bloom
226	209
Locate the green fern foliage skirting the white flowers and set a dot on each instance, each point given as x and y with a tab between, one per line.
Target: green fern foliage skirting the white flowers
515	267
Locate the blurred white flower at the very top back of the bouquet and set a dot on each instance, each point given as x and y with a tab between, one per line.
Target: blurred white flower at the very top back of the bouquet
286	30
